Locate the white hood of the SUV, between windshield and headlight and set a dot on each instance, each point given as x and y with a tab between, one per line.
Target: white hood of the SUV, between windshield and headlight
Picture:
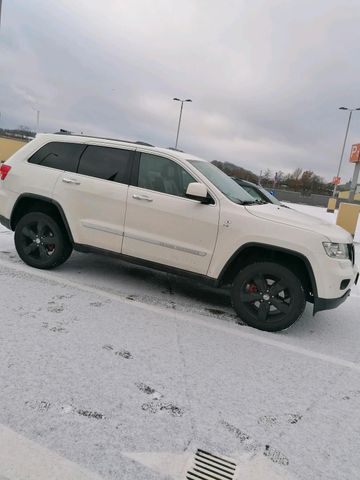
288	216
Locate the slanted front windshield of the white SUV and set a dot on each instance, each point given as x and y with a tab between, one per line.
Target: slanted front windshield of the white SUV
223	182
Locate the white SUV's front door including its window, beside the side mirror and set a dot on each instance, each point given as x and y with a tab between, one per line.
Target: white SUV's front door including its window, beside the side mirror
164	226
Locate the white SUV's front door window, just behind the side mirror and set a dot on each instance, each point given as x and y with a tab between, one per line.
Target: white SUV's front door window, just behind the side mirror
163	175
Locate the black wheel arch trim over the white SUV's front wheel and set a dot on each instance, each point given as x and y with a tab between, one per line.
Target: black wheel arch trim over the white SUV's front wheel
255	252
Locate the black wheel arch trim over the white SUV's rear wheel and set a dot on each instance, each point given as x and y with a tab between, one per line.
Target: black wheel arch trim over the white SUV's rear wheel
30	202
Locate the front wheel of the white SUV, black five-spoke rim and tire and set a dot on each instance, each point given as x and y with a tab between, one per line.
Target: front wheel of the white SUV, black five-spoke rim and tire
268	296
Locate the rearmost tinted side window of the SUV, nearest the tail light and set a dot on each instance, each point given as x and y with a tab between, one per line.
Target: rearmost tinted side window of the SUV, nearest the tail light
61	155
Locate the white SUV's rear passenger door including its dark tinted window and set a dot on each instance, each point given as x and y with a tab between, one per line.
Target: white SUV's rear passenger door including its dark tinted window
94	197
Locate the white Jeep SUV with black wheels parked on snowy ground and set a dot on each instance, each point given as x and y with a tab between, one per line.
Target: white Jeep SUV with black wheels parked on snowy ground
175	212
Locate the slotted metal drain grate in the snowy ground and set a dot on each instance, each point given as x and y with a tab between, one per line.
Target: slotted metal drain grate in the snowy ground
207	466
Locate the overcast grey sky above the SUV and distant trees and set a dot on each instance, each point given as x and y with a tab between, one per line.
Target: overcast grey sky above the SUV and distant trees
266	76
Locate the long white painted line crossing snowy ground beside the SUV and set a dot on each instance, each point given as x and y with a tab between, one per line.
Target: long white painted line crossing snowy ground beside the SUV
264	338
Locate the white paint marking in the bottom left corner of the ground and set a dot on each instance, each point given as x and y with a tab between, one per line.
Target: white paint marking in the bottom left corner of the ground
23	459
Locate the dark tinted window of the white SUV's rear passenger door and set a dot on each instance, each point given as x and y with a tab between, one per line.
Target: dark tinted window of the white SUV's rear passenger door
107	163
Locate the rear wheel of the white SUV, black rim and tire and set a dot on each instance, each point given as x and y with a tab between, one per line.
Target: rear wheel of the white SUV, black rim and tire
41	241
